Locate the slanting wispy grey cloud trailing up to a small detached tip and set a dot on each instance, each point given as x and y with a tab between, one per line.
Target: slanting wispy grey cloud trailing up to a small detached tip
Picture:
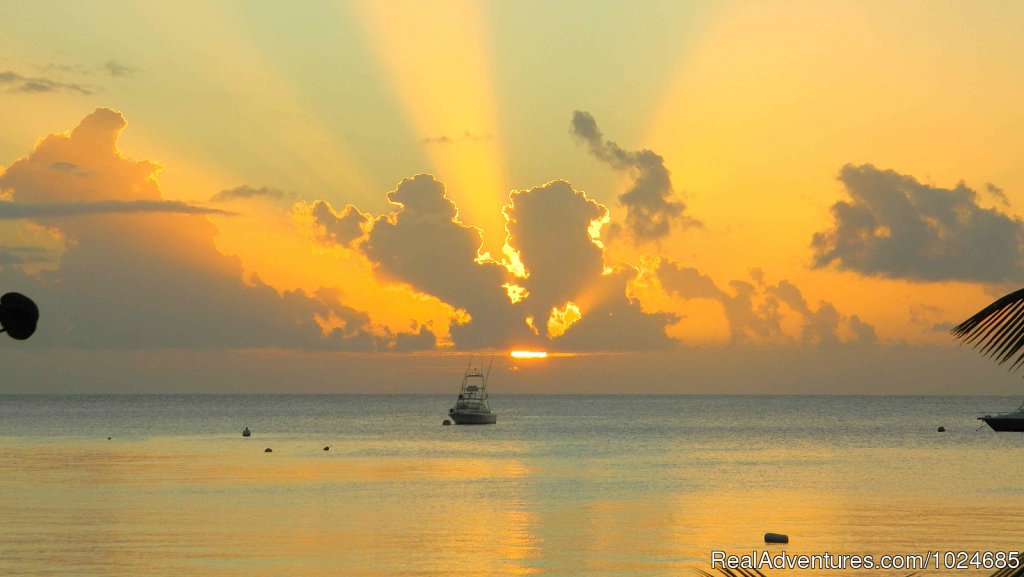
650	212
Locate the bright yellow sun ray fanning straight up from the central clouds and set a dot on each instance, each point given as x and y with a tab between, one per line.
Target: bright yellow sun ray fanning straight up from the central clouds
443	75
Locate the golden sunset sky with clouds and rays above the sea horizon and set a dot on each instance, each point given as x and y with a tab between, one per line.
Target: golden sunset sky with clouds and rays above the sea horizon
355	197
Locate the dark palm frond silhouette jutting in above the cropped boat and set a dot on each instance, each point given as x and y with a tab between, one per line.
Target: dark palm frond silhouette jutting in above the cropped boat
998	329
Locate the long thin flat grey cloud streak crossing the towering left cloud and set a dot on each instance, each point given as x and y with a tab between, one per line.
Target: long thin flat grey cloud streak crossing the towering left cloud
12	211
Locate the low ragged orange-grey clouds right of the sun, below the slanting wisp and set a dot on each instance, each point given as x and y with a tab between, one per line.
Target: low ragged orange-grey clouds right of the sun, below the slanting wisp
754	310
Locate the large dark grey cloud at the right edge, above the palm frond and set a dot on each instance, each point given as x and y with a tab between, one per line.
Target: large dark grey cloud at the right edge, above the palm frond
895	227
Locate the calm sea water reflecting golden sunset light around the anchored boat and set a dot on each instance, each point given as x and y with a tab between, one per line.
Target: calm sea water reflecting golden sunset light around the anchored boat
562	486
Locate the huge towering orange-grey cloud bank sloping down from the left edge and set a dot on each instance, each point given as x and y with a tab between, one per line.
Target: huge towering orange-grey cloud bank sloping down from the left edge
152	279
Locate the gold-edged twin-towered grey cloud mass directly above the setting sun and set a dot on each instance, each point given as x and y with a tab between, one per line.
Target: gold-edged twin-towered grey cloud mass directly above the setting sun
568	300
